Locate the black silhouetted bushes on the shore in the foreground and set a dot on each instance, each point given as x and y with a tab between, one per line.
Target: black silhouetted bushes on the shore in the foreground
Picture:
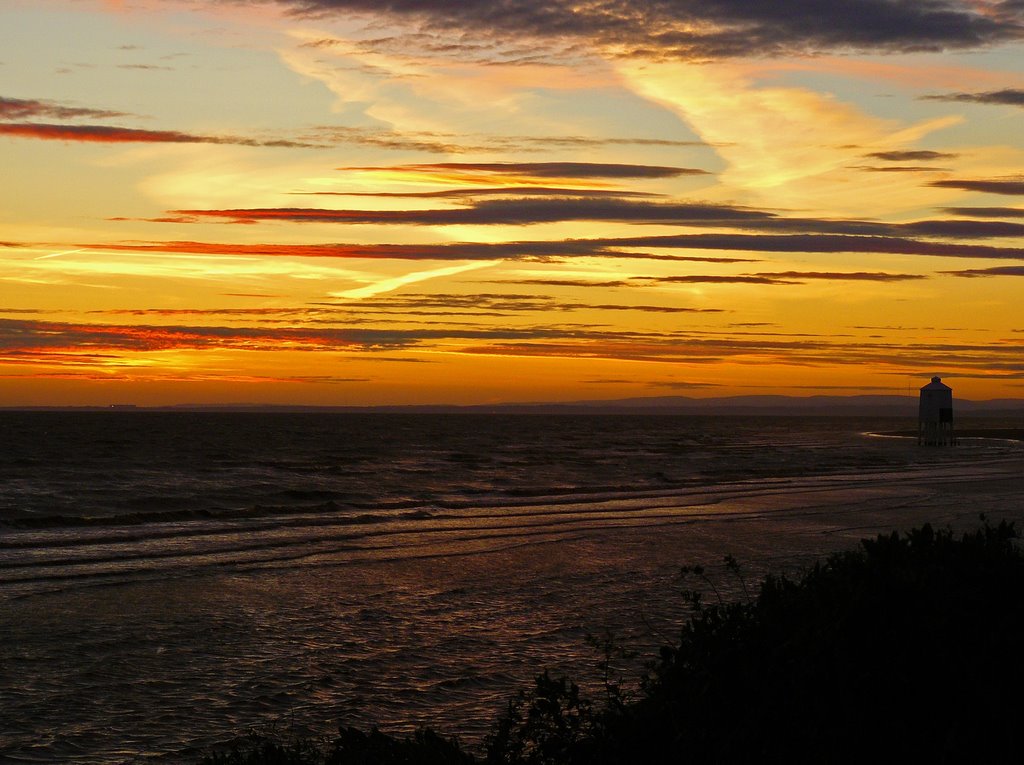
910	649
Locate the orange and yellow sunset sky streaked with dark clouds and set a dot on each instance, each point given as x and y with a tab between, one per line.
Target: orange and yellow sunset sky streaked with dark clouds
345	202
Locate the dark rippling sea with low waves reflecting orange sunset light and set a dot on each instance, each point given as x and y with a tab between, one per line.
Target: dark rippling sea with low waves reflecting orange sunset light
172	581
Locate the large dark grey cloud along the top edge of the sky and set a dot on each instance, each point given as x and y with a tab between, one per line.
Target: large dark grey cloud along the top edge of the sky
709	29
